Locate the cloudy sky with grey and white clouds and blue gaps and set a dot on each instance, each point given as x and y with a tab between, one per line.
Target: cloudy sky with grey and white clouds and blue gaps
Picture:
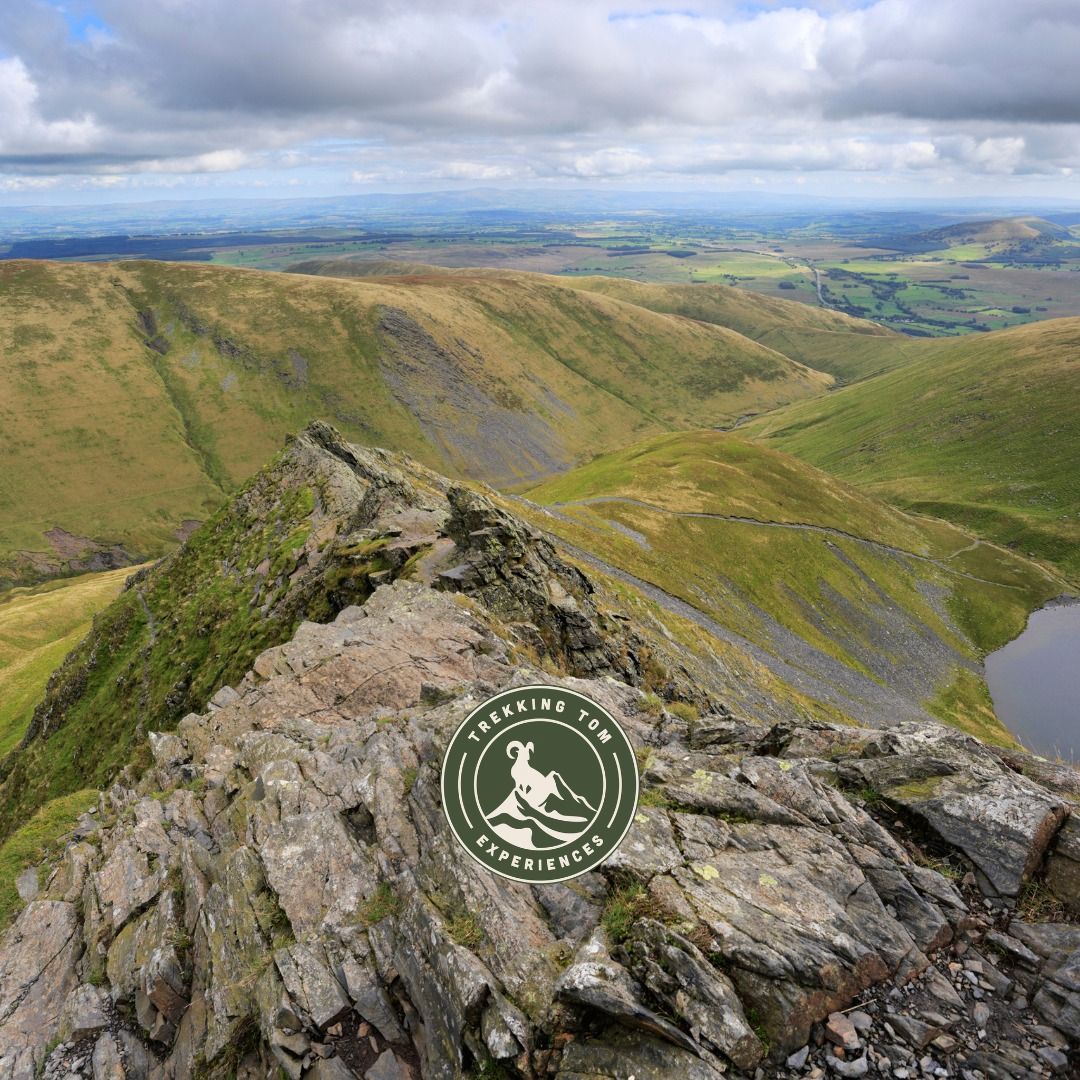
165	99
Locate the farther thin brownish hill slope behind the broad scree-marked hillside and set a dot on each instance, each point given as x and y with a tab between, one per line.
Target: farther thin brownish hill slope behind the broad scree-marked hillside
827	341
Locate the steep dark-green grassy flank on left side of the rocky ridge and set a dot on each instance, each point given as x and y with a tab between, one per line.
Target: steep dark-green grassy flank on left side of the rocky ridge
164	647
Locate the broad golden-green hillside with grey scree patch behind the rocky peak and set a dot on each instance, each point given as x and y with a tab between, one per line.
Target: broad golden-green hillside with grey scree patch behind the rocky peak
132	397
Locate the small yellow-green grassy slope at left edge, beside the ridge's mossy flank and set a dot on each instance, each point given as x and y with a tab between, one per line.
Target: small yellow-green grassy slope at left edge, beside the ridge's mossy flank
38	628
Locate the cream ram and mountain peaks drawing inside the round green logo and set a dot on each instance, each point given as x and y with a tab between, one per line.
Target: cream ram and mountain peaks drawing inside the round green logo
542	811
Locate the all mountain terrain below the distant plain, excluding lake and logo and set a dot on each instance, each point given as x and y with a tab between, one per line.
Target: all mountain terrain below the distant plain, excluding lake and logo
758	532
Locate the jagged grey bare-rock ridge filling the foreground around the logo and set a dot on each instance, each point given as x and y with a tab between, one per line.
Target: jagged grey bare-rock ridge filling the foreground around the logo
279	890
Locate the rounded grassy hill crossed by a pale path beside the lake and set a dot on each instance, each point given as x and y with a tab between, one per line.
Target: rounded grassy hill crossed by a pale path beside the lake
828	590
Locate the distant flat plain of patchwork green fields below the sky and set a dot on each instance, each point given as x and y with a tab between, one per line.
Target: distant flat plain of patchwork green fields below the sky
920	273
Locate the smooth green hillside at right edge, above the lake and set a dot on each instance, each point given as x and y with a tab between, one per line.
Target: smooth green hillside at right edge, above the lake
983	431
